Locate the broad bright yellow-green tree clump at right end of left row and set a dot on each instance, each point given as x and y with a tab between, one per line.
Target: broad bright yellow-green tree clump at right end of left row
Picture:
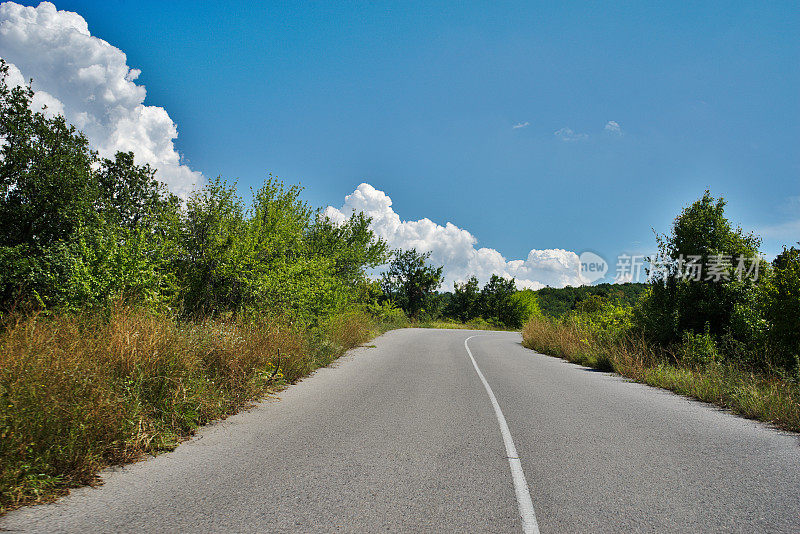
277	257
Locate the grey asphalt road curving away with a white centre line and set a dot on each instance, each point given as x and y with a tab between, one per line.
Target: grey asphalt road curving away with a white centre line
403	437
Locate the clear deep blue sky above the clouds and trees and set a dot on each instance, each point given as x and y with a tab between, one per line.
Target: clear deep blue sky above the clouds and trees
420	100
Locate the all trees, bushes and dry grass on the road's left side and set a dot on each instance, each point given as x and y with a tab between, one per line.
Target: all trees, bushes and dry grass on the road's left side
129	317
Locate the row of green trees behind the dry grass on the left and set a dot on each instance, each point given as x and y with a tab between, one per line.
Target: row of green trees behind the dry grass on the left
77	230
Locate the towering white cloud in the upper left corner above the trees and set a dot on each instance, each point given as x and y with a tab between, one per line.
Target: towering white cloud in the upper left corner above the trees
89	81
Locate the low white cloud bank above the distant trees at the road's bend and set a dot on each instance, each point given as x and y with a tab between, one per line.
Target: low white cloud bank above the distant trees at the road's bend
454	247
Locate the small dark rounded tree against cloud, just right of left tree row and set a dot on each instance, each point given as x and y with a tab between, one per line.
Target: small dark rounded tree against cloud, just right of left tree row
409	281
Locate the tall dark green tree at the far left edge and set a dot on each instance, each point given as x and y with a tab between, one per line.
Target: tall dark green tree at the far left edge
46	194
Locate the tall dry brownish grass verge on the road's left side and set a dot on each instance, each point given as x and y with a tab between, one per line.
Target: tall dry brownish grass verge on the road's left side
82	392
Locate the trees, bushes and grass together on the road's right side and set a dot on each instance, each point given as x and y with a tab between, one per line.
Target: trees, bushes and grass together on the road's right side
710	334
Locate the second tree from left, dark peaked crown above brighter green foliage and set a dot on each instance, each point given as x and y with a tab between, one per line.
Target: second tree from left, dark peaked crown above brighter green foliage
133	247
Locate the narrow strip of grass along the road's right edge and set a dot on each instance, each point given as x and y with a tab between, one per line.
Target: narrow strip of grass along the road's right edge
766	398
